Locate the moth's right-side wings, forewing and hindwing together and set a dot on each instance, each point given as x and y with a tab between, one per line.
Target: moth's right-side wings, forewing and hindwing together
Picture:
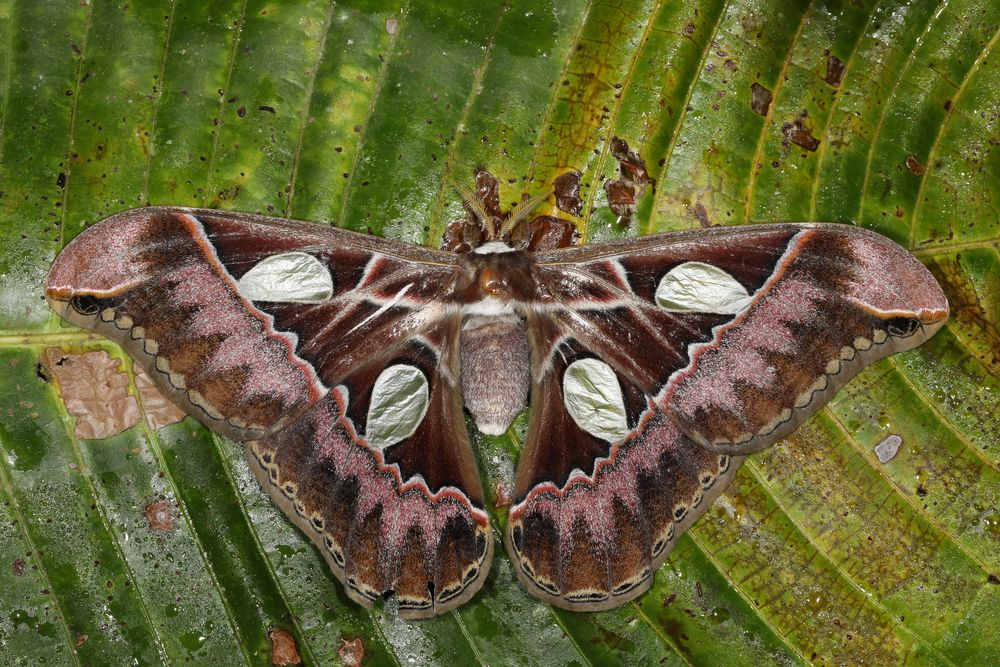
659	362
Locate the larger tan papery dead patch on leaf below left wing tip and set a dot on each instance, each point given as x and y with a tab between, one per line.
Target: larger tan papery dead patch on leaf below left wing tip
95	392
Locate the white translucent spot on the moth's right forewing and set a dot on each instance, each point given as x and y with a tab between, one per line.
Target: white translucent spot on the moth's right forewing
696	287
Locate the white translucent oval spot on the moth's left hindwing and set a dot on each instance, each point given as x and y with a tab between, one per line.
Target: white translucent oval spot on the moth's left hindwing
399	403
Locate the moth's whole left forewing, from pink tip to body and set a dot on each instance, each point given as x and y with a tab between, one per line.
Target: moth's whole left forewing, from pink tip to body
245	321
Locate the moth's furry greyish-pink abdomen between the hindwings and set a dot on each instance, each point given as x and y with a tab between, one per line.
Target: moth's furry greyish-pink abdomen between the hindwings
496	374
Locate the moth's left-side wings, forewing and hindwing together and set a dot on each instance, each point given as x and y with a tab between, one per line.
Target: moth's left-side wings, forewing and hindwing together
333	354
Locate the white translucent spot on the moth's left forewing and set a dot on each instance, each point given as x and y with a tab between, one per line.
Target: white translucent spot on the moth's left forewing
288	277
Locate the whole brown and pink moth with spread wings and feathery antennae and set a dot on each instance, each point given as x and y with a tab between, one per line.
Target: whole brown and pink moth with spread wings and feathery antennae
652	366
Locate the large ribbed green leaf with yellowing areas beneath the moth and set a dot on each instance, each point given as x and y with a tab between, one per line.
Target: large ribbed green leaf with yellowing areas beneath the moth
359	115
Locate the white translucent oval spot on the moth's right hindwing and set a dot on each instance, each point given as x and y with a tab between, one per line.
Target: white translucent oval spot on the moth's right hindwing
594	399
